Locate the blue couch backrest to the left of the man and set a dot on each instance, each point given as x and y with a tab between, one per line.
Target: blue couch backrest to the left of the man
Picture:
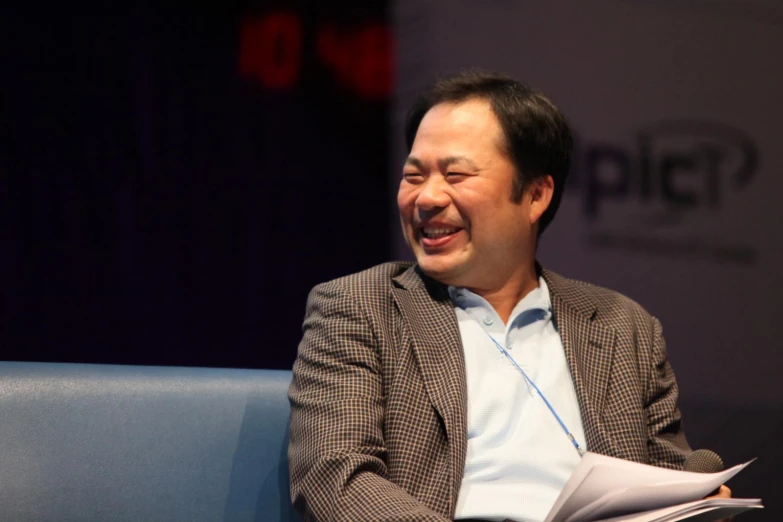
100	442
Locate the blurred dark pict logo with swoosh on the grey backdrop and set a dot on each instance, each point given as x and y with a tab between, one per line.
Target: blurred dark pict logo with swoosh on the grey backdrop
652	197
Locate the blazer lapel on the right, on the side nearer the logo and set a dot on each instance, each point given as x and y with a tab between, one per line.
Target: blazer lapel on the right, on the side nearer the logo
589	347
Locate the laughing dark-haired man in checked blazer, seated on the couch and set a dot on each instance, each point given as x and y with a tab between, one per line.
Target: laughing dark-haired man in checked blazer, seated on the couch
468	384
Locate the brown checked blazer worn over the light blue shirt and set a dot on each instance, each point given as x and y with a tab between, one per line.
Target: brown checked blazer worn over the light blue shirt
379	399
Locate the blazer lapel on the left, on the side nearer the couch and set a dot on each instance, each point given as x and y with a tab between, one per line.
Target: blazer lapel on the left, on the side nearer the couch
427	309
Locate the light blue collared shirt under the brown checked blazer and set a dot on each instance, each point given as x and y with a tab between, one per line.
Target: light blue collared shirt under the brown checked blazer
518	457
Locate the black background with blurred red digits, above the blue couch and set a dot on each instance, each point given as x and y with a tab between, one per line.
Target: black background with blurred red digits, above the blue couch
173	181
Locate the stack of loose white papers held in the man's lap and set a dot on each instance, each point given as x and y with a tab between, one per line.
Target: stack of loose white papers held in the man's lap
607	489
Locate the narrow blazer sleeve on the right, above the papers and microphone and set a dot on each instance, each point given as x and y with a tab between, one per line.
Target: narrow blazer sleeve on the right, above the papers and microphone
666	443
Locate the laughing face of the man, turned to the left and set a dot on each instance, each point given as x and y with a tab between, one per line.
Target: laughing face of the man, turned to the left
455	199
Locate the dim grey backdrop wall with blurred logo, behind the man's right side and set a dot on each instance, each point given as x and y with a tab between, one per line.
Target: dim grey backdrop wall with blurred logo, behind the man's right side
674	196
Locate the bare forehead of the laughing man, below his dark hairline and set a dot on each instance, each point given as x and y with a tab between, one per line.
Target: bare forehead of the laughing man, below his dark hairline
469	126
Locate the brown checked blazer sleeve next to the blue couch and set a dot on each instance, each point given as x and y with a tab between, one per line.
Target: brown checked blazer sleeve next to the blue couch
336	452
